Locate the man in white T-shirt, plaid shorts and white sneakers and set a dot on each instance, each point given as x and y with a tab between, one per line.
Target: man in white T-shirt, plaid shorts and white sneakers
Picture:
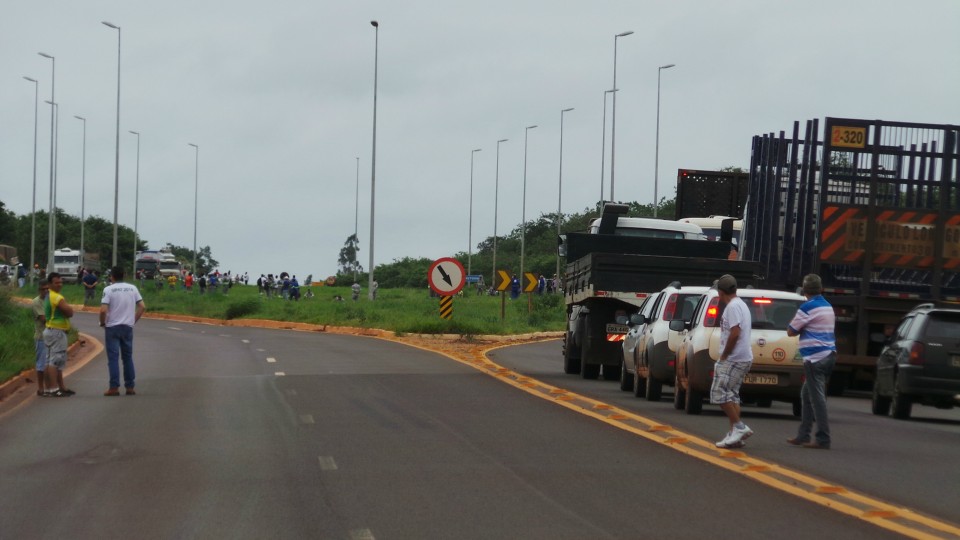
736	356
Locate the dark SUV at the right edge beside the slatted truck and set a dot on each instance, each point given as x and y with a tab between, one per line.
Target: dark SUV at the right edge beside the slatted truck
920	363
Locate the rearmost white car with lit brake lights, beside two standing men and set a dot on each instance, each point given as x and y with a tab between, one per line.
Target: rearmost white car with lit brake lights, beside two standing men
777	370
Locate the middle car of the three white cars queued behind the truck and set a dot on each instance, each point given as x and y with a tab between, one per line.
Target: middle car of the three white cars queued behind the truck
655	357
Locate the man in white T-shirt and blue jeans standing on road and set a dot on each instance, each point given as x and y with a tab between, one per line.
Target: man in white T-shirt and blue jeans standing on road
121	308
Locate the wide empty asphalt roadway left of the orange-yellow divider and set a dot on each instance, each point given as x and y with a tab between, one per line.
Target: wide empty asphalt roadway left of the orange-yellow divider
252	433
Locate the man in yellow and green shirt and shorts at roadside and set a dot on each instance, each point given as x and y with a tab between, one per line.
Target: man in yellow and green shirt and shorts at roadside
57	313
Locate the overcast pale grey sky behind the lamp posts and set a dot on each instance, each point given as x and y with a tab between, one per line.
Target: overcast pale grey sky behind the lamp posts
279	98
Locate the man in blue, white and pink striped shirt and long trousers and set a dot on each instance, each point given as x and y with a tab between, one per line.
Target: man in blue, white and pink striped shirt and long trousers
814	323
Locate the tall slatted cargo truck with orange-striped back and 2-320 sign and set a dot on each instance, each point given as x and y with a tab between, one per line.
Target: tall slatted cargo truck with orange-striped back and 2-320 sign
871	206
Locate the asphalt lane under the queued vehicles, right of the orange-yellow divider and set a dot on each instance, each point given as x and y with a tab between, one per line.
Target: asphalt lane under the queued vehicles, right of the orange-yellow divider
908	463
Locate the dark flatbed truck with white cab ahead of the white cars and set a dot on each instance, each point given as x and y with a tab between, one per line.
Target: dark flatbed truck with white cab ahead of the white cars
614	266
